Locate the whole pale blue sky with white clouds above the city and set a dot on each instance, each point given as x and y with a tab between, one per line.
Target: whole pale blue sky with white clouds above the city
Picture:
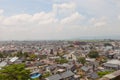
59	19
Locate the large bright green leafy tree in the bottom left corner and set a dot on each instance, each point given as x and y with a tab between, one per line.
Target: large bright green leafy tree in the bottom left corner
14	72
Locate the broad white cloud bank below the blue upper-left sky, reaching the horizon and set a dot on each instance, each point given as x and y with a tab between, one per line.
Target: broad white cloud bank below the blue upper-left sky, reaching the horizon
65	20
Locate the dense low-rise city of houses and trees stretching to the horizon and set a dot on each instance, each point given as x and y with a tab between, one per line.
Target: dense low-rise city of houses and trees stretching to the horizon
60	60
